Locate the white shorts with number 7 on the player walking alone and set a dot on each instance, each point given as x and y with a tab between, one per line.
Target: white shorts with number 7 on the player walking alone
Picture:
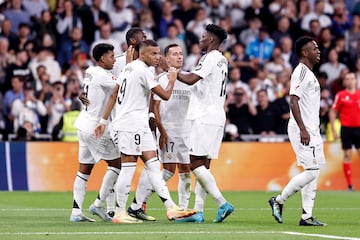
309	157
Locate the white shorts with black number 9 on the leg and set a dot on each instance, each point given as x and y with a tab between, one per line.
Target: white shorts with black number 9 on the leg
135	143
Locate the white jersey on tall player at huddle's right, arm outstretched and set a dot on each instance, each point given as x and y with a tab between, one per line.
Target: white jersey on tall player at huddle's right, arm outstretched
208	94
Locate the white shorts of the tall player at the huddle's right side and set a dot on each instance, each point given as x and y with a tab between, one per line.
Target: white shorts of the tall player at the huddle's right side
205	139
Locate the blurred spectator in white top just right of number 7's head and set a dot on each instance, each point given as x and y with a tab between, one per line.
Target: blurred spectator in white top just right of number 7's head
333	67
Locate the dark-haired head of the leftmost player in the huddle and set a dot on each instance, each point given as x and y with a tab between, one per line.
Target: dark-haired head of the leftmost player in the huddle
103	54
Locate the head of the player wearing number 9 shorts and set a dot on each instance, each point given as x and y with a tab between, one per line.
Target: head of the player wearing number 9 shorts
149	52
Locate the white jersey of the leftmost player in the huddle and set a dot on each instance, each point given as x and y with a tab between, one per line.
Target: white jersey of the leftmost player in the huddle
98	85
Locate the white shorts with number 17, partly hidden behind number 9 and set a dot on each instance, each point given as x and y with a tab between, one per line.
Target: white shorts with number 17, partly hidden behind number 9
176	150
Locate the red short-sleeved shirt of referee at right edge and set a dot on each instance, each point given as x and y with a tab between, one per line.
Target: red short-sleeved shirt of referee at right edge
348	106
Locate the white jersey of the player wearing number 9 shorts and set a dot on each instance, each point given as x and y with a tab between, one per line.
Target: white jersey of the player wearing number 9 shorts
136	81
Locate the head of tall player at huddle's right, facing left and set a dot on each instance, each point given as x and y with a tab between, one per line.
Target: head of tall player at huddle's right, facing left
213	35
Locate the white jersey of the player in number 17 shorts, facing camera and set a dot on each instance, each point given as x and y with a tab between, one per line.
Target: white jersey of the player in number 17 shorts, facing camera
173	111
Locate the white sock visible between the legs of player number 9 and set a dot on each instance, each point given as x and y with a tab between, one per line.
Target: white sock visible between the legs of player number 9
143	191
